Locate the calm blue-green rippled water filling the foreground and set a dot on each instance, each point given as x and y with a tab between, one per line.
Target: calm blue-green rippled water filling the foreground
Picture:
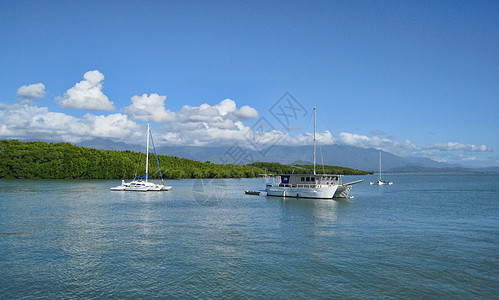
426	236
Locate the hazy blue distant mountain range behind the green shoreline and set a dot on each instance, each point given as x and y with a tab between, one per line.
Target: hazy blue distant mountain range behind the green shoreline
337	155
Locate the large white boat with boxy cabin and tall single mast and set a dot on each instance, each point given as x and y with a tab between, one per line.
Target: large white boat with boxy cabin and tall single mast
315	186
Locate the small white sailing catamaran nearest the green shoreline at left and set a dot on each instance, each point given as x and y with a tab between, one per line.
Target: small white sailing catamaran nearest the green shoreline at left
141	184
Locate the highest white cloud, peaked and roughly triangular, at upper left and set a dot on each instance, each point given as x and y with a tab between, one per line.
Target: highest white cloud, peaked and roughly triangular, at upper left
87	94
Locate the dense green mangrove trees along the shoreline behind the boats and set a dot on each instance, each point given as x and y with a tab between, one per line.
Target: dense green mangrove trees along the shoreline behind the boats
40	160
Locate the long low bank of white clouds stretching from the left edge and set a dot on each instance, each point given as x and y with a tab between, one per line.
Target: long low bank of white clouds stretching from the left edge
202	125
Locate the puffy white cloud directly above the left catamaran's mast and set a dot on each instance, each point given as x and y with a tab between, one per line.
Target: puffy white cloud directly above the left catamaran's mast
149	108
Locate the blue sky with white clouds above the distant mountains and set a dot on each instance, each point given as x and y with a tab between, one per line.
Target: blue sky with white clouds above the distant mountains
415	78
